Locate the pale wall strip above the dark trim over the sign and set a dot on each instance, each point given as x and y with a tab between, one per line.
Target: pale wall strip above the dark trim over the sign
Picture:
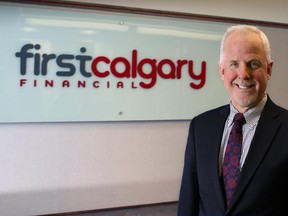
265	10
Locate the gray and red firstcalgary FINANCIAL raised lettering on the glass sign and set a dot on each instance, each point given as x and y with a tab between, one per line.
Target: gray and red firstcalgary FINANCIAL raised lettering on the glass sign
99	67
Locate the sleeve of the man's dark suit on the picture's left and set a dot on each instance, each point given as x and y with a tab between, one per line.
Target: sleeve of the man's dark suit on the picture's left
189	192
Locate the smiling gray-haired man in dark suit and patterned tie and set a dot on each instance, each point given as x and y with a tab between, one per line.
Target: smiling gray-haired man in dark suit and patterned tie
258	186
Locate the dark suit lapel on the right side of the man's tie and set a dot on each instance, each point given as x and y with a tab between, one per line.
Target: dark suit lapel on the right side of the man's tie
264	134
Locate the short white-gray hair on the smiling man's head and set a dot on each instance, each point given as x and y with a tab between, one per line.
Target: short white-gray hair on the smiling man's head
239	28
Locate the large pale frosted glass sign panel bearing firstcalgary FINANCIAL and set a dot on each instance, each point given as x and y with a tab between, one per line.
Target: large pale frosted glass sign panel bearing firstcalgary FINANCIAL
81	65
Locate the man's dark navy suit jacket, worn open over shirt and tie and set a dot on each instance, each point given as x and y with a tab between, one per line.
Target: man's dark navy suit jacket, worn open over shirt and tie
263	185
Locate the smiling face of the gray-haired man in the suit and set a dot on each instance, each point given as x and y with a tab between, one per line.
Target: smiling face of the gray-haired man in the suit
245	69
